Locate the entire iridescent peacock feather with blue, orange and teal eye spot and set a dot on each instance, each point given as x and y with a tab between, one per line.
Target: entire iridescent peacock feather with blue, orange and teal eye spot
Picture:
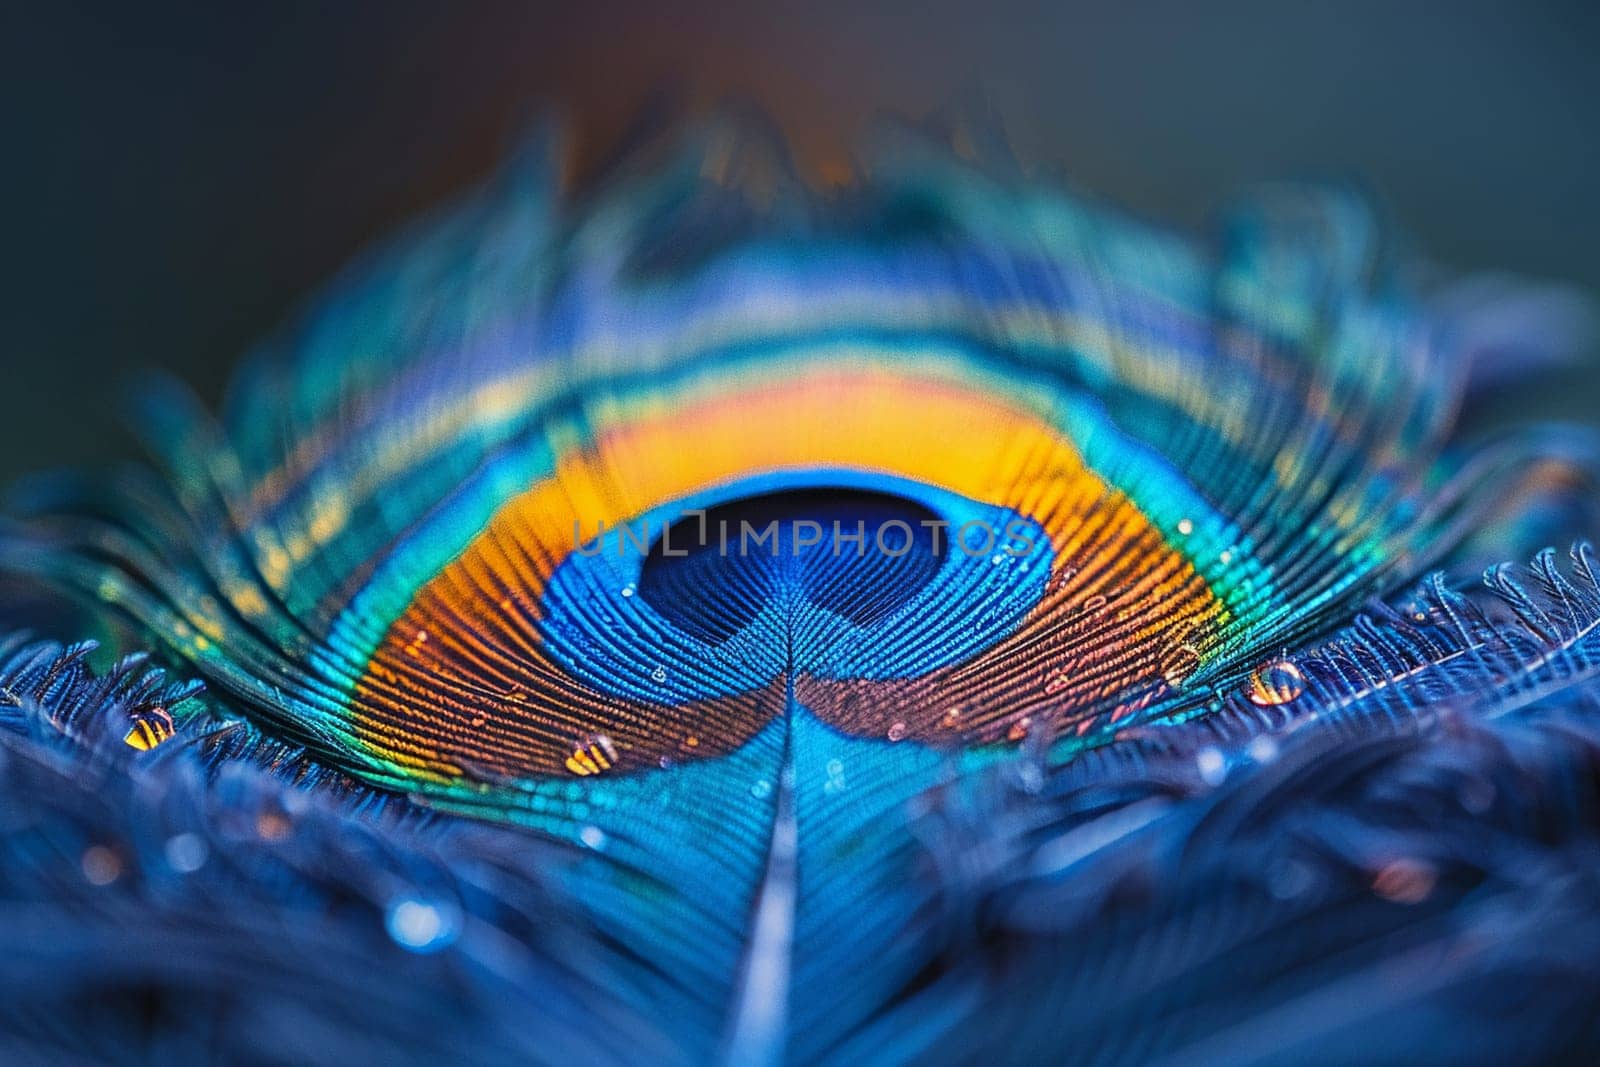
703	617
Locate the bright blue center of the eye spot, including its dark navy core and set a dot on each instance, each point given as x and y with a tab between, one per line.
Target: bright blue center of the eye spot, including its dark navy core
839	575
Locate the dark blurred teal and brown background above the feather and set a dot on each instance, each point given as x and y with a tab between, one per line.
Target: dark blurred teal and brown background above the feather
178	177
